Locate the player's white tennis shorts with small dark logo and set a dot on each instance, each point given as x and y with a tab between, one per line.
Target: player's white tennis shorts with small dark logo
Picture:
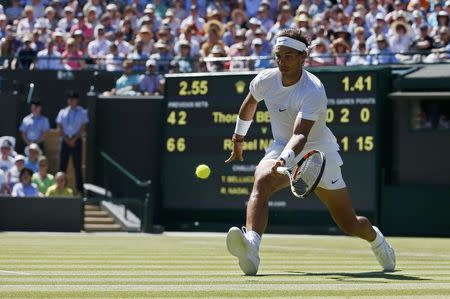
332	176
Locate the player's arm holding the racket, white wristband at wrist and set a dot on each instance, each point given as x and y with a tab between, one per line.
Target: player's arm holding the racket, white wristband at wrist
301	130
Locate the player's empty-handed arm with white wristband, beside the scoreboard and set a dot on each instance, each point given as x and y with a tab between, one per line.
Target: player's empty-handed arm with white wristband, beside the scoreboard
246	113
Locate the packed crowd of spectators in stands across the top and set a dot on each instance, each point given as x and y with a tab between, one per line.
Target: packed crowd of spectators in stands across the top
208	35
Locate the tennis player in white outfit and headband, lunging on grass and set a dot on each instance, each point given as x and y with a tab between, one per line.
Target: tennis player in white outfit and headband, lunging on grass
297	105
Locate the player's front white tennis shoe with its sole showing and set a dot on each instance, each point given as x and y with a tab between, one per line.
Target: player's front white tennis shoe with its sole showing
247	253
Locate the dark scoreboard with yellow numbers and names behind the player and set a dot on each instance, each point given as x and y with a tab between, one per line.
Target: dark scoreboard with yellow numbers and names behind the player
200	120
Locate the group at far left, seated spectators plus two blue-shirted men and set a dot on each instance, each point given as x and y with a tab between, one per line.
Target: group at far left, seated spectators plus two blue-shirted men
27	175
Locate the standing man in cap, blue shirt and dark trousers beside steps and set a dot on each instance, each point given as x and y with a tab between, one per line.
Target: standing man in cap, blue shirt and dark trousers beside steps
71	122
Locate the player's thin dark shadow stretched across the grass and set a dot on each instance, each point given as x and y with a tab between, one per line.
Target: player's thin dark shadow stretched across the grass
343	276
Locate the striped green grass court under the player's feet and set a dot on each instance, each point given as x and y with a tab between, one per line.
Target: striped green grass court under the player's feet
181	265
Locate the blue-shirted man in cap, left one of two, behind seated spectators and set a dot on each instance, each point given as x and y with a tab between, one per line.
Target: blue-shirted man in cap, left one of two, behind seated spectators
34	125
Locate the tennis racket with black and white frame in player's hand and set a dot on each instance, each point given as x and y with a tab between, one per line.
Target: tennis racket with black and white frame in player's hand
306	174
